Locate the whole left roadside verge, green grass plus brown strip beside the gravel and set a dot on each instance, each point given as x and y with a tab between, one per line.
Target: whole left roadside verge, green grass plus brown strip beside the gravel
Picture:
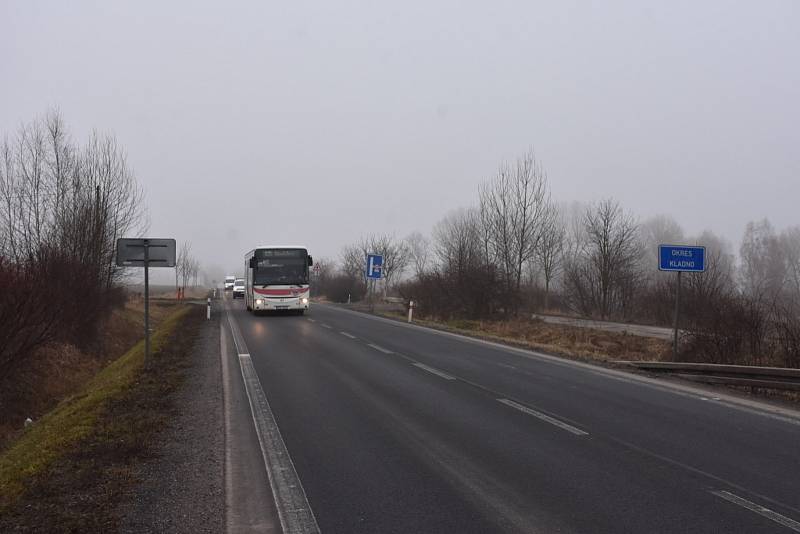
68	469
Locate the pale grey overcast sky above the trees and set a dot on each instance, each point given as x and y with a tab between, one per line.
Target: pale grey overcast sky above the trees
314	123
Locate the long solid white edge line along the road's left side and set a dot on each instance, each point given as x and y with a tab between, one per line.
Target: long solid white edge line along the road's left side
294	510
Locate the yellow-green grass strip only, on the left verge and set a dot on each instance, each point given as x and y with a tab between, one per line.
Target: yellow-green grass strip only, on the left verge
25	463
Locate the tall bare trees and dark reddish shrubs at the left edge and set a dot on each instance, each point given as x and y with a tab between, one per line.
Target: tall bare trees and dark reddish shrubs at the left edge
62	208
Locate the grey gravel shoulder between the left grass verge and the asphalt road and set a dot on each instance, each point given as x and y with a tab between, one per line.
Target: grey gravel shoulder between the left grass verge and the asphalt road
181	485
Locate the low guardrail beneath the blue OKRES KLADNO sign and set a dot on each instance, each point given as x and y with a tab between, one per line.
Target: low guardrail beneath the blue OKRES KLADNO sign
733	375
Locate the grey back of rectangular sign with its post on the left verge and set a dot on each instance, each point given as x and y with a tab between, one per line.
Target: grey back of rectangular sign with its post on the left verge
146	252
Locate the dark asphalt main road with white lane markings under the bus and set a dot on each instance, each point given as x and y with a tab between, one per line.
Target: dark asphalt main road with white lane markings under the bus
370	425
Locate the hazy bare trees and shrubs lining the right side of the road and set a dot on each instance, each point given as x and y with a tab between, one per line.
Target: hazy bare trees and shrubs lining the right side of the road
517	251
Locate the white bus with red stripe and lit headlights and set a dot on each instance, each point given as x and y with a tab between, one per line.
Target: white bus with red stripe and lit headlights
276	278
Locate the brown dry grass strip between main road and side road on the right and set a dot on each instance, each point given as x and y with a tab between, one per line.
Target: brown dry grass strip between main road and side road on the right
572	342
